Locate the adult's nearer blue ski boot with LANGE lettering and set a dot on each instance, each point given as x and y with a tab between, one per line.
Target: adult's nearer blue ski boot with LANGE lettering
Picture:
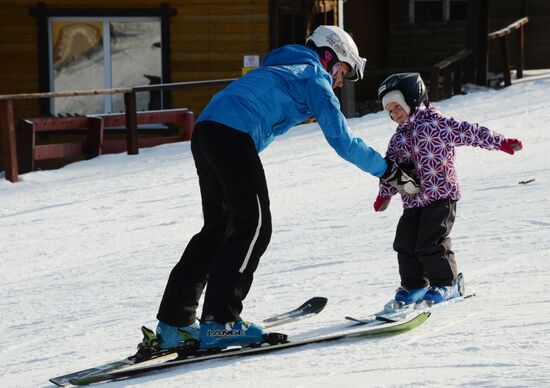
215	335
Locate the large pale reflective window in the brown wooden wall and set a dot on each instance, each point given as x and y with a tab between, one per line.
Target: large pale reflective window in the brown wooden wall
103	53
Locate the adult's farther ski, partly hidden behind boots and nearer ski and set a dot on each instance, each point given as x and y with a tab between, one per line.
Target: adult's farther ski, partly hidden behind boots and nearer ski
308	309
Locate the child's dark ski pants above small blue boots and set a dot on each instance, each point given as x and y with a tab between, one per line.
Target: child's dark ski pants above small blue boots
423	245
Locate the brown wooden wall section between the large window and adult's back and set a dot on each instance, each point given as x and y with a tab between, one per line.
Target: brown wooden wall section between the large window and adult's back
209	40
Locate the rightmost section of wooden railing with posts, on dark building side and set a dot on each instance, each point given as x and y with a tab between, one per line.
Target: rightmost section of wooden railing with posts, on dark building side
502	35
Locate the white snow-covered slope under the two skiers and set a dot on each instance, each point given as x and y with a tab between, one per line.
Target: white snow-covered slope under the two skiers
86	251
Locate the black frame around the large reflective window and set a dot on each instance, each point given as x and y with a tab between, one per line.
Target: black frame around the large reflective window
44	16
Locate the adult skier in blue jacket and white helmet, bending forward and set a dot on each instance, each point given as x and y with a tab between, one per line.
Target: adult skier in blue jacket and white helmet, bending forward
294	83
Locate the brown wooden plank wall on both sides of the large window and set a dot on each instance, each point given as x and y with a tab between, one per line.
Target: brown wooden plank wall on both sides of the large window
208	41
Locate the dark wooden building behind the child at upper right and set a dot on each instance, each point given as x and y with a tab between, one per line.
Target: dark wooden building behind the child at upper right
396	35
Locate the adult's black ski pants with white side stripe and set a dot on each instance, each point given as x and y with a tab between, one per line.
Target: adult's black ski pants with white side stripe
237	229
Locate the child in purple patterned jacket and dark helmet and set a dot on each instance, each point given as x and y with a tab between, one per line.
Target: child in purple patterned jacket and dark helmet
425	141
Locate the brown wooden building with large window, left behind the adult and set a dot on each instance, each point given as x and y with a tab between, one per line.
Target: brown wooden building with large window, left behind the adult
187	40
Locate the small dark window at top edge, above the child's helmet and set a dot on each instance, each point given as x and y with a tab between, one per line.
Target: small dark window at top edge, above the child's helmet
426	11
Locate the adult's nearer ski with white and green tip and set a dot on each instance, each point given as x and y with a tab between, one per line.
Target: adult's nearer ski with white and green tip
372	331
